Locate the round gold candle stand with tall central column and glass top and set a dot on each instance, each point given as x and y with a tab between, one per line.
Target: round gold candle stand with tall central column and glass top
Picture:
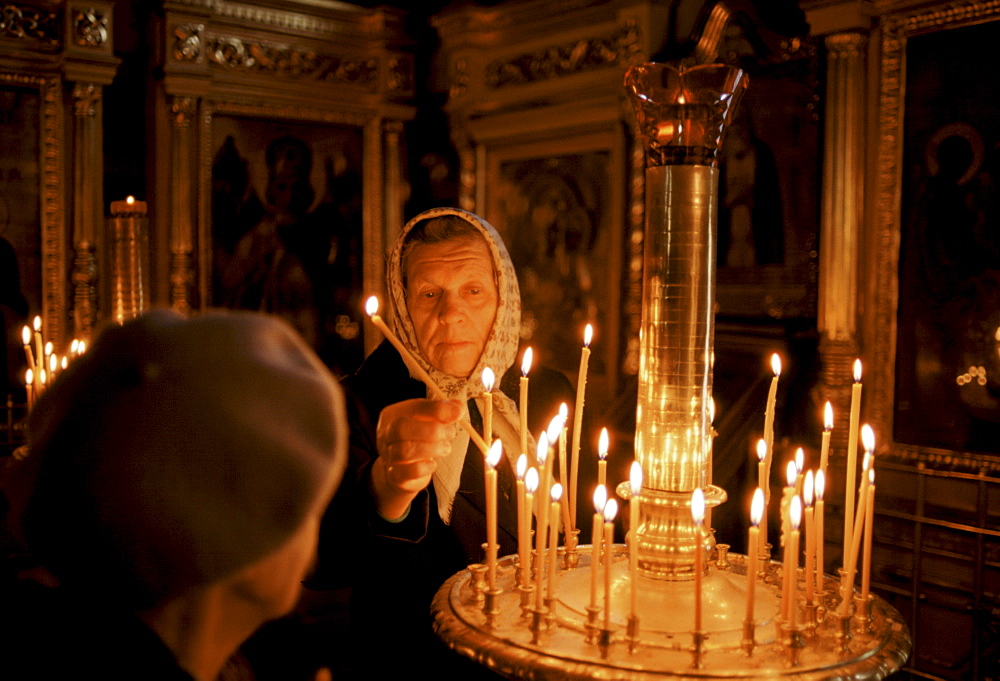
675	604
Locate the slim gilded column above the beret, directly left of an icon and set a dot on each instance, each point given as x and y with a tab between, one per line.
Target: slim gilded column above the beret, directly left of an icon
181	226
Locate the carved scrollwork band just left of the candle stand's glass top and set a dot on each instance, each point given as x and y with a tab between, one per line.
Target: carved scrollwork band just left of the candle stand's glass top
617	49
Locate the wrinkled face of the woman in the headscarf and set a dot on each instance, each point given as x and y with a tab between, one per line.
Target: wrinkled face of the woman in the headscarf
451	294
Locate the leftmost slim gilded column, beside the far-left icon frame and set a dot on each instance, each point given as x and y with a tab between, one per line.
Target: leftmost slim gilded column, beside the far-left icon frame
88	192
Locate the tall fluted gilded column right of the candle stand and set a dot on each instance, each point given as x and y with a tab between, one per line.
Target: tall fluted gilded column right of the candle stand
840	222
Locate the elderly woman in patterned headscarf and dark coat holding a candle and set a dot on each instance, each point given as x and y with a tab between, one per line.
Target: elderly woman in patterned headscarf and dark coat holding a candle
412	505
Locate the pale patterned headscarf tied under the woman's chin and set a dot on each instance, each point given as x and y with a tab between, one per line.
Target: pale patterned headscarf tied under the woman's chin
498	354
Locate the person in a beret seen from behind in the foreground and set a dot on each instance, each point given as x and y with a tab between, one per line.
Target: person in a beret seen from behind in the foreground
176	477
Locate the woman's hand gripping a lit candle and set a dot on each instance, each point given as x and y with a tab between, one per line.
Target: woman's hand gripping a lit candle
411	437
